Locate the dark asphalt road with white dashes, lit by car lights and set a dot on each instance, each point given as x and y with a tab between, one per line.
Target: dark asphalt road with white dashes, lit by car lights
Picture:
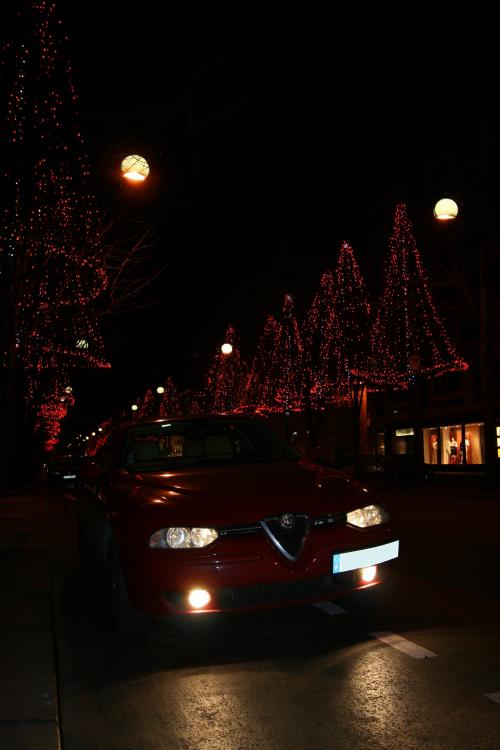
416	665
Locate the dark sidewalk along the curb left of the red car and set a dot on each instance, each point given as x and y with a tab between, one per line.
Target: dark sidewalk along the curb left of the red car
28	683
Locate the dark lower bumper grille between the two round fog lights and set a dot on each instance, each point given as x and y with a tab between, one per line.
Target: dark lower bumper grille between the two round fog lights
288	591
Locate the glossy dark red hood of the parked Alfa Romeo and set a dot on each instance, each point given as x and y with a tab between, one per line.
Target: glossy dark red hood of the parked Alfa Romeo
245	493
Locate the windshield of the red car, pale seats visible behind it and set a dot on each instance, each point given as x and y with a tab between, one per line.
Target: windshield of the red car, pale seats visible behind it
181	444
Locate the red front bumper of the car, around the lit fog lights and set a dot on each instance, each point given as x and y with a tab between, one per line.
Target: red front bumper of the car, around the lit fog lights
253	579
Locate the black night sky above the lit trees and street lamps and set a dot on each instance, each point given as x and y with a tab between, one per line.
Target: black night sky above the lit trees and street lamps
308	126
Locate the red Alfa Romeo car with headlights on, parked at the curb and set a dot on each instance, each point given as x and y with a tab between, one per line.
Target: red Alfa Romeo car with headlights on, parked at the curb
218	513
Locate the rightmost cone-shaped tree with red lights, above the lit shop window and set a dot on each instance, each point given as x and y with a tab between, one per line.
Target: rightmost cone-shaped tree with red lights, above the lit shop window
408	333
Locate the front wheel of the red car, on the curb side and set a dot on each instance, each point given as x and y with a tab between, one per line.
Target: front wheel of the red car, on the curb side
125	622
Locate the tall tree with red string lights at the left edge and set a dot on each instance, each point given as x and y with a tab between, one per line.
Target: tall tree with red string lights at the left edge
51	268
